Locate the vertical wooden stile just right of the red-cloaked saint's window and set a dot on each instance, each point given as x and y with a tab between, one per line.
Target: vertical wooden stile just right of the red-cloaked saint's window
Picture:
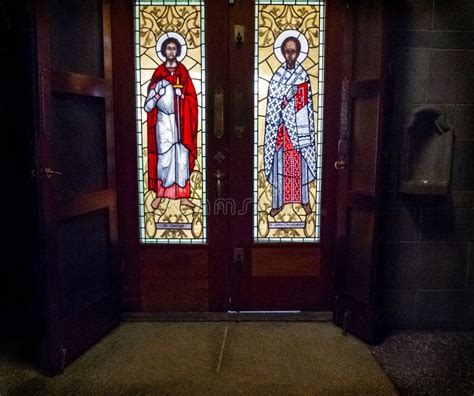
217	61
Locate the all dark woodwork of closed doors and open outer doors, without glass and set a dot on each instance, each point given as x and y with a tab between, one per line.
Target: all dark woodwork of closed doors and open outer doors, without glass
87	167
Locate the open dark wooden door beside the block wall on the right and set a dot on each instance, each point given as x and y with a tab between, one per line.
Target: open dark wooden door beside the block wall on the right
365	69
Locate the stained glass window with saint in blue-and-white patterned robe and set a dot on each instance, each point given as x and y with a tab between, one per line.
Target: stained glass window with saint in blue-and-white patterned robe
288	89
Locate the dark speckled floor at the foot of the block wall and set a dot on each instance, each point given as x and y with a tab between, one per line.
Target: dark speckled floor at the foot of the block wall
429	362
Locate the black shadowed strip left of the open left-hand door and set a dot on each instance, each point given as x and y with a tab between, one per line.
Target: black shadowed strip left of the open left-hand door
19	307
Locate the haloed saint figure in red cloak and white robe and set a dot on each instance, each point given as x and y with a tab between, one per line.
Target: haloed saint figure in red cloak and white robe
172	122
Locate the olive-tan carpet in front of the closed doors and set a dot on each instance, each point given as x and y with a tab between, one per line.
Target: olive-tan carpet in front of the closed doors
212	358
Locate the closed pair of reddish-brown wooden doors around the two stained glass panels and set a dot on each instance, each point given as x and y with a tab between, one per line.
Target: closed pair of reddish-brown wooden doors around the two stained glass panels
233	269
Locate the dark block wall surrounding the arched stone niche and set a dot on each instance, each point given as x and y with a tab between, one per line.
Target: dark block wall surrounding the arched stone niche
429	266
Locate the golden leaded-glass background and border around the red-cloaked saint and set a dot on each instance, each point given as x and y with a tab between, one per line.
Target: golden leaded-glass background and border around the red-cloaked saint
155	20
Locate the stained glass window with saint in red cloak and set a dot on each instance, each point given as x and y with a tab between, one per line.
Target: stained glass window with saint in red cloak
170	100
